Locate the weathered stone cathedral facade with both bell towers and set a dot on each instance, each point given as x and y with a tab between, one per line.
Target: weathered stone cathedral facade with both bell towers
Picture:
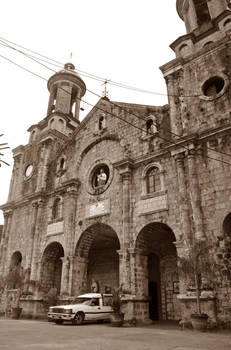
118	197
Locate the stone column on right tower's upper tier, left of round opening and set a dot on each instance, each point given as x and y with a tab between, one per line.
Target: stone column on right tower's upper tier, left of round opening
173	101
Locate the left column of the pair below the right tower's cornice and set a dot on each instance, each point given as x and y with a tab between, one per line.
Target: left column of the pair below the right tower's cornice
183	197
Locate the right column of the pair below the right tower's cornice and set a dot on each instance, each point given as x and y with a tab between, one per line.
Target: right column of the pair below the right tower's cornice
195	195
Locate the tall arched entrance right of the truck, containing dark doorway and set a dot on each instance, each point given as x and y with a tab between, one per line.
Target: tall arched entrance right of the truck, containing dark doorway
157	275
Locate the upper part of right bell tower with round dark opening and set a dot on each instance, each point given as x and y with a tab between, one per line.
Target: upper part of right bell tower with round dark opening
198	79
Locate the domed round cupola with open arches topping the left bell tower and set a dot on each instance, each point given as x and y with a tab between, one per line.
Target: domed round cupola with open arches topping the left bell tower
66	90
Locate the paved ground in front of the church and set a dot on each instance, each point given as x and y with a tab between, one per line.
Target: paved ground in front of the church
41	335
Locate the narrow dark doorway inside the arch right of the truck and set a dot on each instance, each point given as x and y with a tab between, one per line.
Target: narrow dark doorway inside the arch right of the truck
154	287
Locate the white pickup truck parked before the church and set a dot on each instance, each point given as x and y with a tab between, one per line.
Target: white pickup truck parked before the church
86	307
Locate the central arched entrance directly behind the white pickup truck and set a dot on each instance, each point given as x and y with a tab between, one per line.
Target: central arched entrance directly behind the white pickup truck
97	259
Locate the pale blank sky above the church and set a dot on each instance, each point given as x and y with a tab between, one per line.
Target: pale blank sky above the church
120	40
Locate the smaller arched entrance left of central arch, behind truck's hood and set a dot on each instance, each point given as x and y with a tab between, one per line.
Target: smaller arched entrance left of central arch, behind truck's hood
51	268
